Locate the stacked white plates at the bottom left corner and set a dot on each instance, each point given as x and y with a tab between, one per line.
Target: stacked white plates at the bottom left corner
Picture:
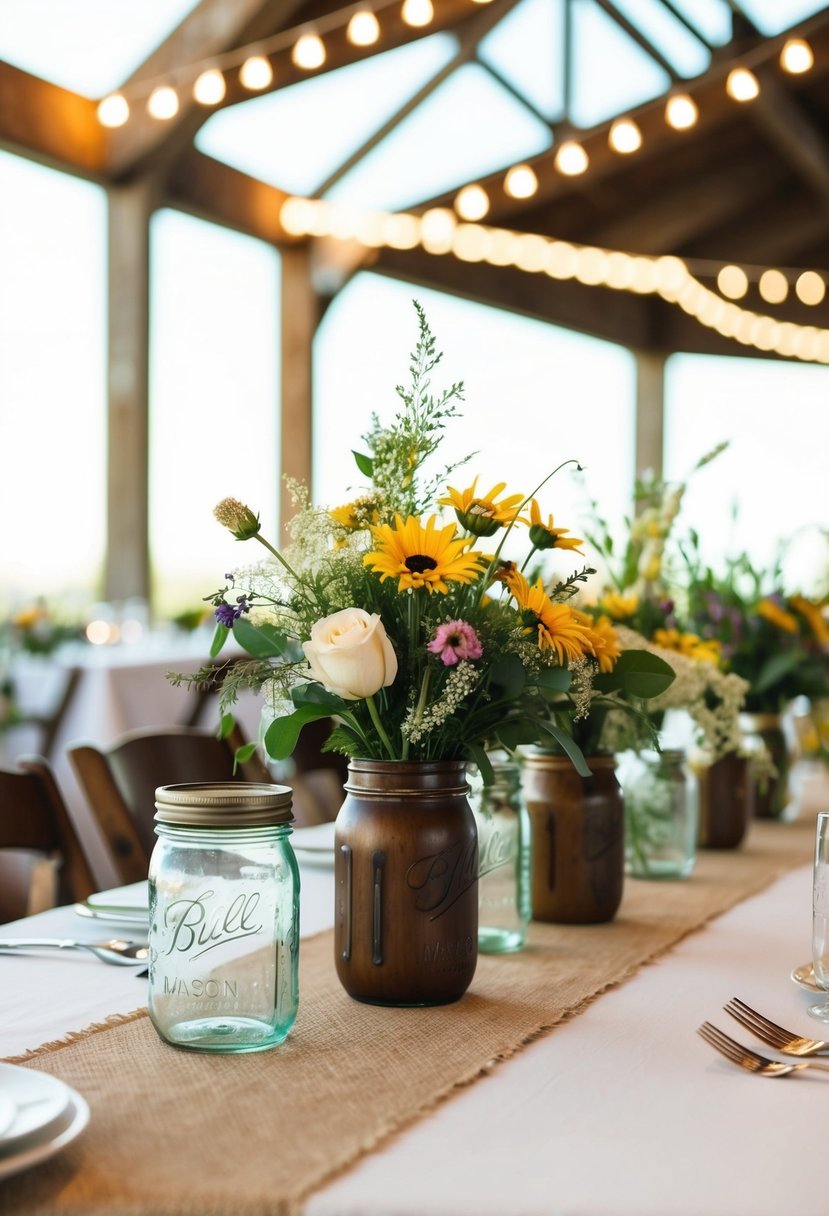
40	1116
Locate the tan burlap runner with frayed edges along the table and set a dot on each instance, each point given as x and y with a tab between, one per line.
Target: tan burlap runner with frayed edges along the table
178	1134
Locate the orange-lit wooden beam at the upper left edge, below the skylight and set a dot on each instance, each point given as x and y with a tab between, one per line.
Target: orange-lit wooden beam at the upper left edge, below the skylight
49	123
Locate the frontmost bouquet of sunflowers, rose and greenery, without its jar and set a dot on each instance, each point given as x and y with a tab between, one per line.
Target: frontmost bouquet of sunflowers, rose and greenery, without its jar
398	617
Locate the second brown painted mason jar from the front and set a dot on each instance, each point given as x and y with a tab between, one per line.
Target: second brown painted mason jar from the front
578	838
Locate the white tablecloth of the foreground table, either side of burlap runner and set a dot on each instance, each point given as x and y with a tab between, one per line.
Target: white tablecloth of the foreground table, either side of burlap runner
622	1112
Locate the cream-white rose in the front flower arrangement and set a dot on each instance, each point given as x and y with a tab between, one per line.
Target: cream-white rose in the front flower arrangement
351	655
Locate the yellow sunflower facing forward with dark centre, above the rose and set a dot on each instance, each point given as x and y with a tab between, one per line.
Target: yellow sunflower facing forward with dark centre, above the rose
420	556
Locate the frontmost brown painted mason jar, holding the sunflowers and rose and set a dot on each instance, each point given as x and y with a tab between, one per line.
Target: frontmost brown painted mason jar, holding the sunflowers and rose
407	883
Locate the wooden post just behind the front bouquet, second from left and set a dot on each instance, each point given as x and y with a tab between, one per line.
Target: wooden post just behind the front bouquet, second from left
301	314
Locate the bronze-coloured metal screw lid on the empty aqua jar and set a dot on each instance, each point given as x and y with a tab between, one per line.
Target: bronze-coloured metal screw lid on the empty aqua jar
224	804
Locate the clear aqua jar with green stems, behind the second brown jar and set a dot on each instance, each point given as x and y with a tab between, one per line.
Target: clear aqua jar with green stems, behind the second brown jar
662	814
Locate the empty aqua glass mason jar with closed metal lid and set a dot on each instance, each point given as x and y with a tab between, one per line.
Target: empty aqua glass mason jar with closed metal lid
224	917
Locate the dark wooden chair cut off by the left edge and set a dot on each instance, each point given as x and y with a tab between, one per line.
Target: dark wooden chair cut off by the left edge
42	860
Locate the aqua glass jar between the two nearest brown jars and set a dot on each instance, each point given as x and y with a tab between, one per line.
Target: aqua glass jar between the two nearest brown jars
504	858
